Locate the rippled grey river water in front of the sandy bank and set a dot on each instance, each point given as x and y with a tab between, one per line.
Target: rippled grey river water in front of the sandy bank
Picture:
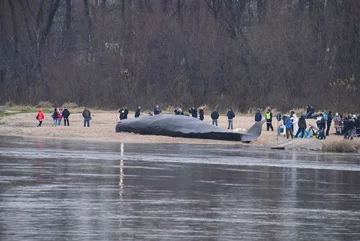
78	190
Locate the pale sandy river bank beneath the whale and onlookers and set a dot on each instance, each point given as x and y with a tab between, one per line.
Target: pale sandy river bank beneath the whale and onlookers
102	128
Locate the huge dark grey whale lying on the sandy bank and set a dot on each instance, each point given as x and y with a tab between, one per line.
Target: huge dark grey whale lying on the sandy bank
184	126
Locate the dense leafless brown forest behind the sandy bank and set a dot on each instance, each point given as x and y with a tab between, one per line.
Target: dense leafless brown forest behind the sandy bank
238	53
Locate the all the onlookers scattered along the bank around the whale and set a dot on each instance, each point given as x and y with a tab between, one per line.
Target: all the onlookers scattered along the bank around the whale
346	125
